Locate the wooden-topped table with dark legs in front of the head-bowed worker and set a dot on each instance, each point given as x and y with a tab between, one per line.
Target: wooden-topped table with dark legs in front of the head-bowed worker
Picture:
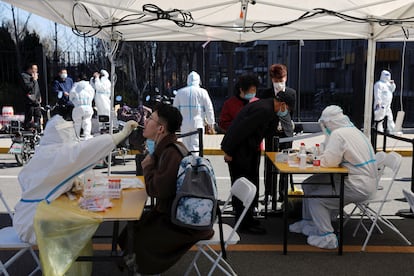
283	167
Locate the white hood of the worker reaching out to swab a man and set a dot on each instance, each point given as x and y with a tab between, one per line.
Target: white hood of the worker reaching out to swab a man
58	131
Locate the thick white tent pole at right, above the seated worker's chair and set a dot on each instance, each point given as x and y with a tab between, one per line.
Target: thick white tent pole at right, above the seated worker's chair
369	86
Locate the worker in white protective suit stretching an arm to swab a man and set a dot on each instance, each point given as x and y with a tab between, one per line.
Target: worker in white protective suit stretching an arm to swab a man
58	159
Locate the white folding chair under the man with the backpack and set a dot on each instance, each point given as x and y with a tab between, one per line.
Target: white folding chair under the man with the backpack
244	190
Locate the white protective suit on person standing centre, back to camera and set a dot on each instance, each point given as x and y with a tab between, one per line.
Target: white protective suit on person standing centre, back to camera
195	106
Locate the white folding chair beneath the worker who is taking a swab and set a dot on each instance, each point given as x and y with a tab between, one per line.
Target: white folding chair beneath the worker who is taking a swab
9	240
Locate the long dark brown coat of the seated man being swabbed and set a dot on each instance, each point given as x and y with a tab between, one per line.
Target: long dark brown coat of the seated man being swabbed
158	243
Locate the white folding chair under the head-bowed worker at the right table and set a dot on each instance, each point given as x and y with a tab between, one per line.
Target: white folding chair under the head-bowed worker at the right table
374	214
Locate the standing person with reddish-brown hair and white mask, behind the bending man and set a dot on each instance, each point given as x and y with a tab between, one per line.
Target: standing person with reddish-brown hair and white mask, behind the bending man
284	128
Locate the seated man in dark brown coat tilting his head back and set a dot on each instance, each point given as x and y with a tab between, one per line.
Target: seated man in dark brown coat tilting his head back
158	243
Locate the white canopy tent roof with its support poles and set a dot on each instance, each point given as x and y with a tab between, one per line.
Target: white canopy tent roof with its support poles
235	21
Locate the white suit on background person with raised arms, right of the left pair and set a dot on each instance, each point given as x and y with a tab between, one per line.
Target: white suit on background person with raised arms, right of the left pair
102	87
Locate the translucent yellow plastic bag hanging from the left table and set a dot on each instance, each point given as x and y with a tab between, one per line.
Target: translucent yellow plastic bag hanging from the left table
63	233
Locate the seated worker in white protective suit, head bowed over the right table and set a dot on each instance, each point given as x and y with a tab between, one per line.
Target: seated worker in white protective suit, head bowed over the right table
347	146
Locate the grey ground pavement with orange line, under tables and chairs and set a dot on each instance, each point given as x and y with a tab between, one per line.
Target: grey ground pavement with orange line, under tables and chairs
262	255
